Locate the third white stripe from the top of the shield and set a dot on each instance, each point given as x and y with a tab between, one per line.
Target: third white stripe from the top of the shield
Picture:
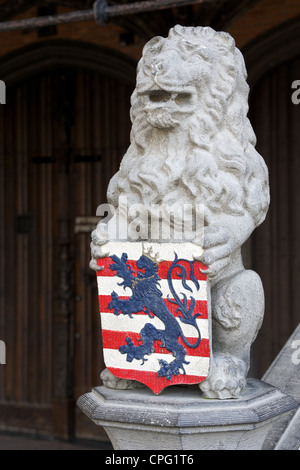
109	321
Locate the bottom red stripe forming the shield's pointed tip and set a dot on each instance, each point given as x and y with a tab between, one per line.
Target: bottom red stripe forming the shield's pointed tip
153	381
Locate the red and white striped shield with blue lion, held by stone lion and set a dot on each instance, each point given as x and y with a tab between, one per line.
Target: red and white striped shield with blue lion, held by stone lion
155	313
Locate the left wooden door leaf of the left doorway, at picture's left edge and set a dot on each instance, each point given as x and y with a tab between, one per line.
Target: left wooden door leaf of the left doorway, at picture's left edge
26	258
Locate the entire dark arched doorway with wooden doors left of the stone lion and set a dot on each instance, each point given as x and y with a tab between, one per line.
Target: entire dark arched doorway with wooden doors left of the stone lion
63	132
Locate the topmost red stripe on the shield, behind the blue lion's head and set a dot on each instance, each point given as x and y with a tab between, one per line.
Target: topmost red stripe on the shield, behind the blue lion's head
162	269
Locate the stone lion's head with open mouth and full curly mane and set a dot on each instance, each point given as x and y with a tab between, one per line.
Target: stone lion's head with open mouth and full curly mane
191	140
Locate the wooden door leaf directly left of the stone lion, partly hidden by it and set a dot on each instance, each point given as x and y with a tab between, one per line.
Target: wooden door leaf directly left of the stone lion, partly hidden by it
100	138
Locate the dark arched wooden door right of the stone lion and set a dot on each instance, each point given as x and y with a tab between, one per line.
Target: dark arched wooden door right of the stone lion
276	247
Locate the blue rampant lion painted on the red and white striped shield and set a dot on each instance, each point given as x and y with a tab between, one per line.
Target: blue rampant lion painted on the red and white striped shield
147	297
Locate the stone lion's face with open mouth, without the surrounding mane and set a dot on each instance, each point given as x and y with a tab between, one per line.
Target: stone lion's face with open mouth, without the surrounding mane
168	84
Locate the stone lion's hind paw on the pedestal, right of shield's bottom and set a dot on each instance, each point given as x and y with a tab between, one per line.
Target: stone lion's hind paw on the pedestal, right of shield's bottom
226	379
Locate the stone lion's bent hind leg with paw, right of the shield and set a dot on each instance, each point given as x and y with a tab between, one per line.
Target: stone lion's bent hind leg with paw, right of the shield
237	310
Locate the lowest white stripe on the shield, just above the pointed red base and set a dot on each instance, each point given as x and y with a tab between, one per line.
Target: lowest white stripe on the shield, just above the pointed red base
113	358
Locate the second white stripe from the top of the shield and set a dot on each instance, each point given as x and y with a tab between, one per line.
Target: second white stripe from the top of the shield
106	285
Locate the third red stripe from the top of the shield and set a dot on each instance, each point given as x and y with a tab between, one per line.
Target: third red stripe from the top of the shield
115	339
